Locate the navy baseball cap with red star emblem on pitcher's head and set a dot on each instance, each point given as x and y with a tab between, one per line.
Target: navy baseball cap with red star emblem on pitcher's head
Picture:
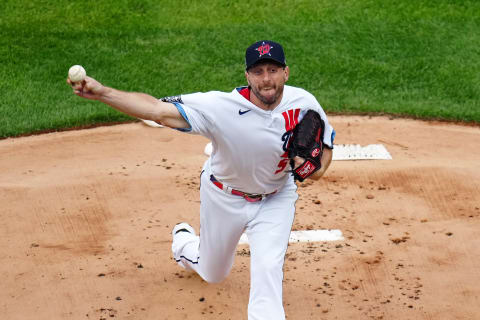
264	50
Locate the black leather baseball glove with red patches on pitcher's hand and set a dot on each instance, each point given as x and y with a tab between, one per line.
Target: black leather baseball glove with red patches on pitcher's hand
307	143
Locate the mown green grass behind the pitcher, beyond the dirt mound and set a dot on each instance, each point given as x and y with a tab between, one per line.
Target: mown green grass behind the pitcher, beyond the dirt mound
412	58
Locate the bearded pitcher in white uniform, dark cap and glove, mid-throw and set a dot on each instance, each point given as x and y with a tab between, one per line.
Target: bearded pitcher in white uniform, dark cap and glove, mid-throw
265	136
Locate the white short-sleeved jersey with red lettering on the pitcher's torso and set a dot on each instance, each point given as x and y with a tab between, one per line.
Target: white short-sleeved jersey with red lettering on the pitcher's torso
249	143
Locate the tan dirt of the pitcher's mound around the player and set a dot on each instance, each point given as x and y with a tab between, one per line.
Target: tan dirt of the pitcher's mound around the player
86	218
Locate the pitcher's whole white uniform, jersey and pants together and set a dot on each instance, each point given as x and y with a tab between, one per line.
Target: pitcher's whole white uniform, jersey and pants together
249	154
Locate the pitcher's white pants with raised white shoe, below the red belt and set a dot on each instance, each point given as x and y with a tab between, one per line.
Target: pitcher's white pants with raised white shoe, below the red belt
223	219
